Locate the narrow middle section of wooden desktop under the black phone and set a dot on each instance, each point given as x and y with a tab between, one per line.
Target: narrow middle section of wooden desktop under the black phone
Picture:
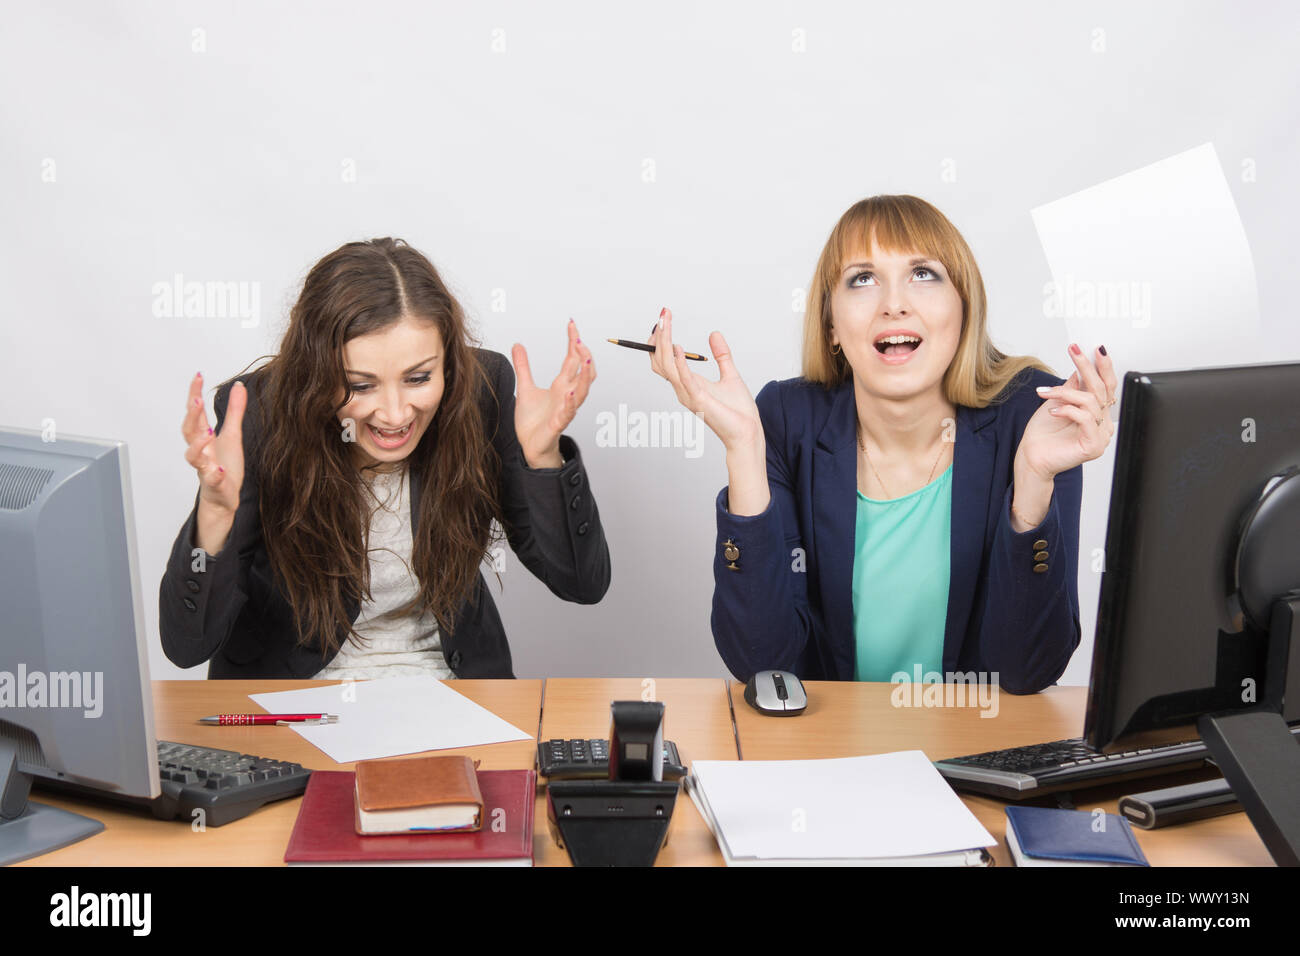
696	719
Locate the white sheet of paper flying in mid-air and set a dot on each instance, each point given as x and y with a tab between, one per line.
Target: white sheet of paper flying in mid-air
1155	265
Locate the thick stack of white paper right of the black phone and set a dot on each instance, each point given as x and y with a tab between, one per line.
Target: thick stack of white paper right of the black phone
881	806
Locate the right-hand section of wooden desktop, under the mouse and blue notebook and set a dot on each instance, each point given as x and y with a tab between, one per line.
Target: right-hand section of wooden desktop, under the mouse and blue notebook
847	719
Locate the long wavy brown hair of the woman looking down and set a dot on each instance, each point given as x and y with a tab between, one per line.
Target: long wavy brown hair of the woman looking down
314	507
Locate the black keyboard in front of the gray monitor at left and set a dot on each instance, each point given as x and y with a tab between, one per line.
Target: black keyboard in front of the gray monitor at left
224	785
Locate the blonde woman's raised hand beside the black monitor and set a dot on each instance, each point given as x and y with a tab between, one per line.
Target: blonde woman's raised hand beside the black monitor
1073	426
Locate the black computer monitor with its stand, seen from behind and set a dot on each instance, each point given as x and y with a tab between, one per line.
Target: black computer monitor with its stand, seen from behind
1201	596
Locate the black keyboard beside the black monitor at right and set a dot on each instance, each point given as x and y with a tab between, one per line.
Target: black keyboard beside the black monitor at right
1028	772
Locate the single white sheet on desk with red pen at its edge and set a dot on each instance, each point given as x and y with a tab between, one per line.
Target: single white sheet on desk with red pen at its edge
389	717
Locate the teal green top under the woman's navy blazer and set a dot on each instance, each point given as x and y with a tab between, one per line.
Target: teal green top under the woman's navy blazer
900	581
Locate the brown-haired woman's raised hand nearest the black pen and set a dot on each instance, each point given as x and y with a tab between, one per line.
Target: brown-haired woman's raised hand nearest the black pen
543	414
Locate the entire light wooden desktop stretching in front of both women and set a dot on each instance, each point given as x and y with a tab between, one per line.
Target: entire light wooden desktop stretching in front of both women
843	720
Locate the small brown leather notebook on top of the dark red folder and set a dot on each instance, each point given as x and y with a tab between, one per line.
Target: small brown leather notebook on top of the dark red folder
397	797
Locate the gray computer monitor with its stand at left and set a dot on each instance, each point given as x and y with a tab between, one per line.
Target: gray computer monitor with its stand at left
76	699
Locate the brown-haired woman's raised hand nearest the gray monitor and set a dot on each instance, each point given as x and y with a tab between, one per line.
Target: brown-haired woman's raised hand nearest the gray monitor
219	462
